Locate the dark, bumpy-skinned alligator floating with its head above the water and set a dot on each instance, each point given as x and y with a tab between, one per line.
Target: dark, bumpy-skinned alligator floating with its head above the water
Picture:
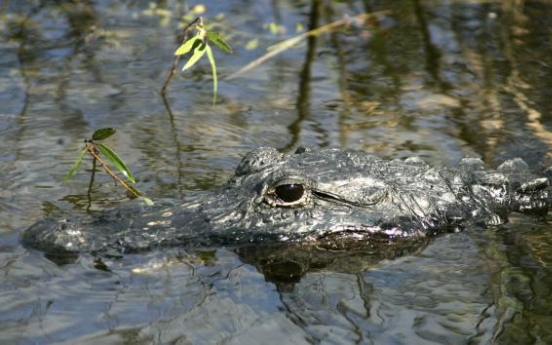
331	197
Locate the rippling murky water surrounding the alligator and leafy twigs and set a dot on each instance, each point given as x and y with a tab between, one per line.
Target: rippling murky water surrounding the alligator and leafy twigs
438	79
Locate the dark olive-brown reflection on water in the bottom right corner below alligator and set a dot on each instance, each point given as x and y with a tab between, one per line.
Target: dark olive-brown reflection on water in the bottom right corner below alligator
523	284
